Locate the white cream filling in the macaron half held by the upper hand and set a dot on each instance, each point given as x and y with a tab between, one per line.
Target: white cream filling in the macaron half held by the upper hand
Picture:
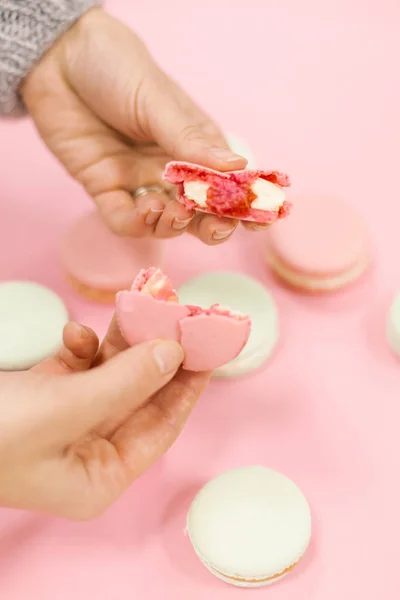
269	195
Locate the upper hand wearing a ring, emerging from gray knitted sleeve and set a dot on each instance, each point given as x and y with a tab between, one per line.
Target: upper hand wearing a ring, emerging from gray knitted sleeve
114	119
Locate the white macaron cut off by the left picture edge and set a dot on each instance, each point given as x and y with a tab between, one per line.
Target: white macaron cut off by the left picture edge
32	319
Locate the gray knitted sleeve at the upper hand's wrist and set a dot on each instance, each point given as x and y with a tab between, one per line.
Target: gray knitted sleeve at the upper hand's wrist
27	29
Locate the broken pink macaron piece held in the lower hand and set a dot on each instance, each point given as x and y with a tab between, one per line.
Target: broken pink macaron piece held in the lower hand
209	337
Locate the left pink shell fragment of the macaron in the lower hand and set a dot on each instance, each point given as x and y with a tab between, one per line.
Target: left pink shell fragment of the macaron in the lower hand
142	318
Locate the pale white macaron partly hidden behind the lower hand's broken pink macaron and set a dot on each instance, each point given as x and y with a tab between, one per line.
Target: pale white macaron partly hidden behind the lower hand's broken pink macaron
247	296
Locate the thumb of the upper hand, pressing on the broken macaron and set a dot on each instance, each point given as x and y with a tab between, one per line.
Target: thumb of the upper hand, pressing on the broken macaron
183	130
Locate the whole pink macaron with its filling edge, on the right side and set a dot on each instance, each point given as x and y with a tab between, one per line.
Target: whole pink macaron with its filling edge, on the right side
323	247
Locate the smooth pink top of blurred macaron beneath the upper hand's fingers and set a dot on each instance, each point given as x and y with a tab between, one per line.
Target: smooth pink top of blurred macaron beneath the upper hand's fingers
98	258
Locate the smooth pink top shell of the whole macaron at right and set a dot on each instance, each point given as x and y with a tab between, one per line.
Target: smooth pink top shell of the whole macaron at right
324	236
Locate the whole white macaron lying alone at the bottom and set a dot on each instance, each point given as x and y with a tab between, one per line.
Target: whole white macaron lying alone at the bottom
249	526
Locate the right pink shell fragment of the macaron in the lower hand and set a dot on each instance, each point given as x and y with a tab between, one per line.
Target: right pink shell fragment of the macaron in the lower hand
210	341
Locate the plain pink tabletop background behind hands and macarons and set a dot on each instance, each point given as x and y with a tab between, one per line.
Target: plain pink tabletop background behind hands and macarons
314	88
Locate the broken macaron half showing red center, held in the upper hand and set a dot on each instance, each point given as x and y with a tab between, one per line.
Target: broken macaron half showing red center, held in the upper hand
249	195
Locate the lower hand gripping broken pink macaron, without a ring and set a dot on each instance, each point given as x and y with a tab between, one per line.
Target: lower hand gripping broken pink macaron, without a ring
77	429
